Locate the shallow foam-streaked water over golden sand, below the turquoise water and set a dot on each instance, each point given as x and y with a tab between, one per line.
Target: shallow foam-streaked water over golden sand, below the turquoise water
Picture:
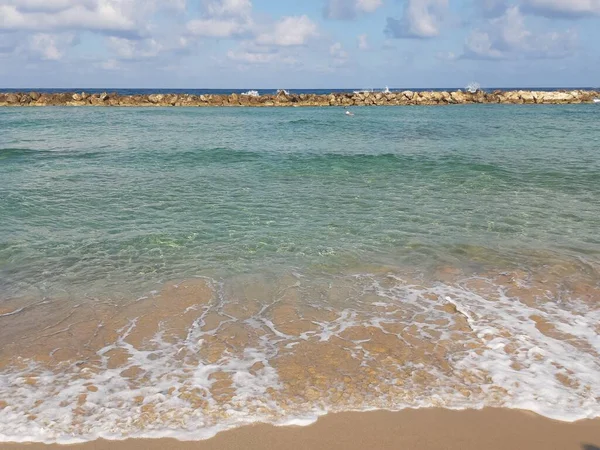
200	356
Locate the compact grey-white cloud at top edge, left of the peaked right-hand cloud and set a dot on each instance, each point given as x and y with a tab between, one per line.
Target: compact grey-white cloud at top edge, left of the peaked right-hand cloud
420	19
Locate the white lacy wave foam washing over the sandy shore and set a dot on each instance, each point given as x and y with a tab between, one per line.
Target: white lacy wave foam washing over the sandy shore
501	325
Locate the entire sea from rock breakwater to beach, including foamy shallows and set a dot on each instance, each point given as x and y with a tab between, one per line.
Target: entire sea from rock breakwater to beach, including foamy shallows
177	272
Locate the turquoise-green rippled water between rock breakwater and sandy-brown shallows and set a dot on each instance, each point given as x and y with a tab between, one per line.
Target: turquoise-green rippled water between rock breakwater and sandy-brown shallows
127	197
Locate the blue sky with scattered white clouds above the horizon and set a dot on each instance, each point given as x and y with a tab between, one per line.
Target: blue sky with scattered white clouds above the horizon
290	44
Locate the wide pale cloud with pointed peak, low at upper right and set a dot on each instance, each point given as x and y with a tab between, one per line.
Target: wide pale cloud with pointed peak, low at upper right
507	37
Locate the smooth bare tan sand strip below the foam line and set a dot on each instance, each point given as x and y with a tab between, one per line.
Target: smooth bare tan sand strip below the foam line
490	429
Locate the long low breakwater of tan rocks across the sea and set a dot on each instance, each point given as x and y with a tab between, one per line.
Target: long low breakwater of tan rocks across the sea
285	99
